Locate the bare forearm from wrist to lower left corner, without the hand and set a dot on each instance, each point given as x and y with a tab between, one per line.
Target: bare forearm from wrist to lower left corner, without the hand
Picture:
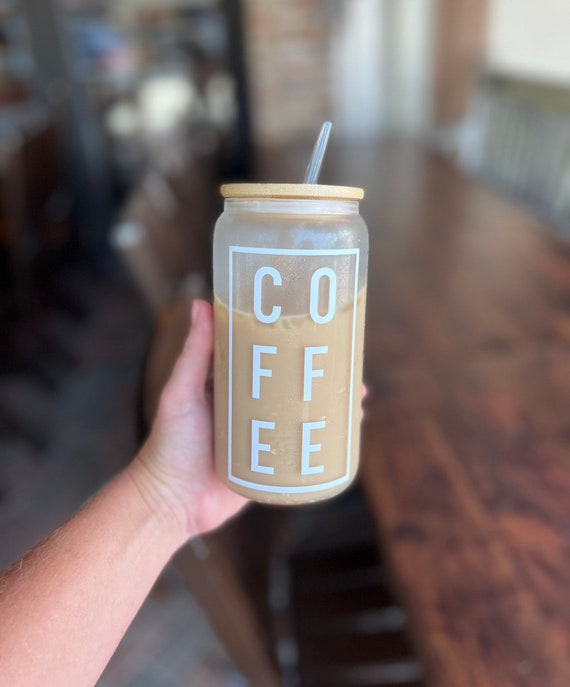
66	605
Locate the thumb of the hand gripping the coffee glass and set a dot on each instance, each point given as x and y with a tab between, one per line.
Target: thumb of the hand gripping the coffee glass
187	382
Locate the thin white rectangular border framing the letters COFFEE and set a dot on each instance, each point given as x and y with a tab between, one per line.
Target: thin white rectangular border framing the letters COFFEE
307	253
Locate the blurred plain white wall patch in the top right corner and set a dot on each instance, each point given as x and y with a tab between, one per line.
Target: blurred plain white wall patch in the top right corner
530	38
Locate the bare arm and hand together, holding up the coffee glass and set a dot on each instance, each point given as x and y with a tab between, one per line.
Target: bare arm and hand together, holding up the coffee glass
66	605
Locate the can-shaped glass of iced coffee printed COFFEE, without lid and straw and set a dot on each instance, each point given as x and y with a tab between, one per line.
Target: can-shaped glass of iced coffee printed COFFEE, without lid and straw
289	328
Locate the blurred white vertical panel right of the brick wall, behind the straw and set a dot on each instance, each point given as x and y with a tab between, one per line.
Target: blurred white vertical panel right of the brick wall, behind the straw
381	67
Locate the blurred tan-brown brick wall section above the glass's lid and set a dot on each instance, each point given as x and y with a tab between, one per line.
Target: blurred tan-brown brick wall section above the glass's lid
287	53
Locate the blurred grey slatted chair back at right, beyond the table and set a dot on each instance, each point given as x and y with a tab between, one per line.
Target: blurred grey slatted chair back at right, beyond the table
519	139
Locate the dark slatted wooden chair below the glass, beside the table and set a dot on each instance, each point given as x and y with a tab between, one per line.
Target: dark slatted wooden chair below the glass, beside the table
338	622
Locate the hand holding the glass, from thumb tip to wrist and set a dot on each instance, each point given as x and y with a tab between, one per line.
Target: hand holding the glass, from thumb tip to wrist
174	470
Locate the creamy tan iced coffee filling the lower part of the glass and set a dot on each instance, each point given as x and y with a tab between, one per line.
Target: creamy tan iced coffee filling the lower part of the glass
287	399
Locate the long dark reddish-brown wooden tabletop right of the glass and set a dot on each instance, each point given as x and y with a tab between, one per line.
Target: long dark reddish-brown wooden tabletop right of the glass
466	441
